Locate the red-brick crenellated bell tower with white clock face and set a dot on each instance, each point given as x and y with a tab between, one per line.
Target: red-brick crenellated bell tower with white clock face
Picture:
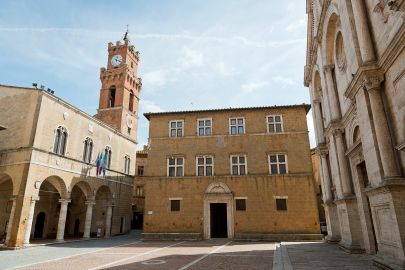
120	87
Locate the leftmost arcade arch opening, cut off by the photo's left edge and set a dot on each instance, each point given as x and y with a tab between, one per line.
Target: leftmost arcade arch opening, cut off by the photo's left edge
6	205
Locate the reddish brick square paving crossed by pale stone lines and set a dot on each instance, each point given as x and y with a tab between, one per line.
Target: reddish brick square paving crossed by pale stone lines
125	252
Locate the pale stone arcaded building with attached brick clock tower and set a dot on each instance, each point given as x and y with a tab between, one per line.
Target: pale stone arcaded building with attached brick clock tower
49	187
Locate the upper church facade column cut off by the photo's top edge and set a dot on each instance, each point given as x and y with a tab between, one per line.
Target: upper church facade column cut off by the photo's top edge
363	33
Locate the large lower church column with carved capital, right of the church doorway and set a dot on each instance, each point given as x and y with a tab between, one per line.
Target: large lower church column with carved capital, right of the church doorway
383	135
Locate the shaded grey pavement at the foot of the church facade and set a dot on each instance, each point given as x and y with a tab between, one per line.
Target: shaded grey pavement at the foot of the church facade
320	256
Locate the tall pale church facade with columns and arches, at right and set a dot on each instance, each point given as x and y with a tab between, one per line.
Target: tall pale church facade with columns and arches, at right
355	71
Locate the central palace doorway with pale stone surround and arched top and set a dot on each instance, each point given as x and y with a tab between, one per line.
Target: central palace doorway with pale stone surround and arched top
218	211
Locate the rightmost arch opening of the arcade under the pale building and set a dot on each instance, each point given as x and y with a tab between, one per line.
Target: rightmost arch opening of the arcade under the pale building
102	212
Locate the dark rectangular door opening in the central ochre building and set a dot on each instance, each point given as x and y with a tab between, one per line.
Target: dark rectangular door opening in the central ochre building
219	226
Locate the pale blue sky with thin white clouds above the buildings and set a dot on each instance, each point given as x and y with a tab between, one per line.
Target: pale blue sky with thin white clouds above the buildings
194	54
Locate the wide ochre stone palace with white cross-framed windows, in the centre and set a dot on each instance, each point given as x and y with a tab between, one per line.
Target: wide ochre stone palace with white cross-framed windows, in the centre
234	173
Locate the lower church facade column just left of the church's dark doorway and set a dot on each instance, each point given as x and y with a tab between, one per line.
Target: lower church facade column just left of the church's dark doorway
343	167
